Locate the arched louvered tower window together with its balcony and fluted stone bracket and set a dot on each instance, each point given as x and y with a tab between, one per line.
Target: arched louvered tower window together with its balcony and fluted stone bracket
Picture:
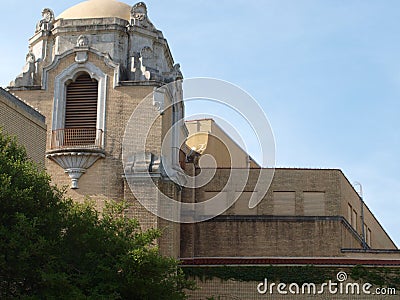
78	120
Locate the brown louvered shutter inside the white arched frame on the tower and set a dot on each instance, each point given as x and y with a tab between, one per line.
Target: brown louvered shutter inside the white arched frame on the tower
81	111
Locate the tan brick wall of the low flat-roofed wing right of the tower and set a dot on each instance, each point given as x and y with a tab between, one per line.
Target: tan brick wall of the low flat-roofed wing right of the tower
296	233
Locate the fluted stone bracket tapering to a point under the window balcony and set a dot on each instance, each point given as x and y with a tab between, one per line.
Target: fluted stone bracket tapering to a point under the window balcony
75	163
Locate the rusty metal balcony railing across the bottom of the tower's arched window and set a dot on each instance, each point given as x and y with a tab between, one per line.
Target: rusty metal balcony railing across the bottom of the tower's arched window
88	138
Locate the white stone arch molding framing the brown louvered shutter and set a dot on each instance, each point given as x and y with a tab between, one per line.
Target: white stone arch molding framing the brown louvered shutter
60	91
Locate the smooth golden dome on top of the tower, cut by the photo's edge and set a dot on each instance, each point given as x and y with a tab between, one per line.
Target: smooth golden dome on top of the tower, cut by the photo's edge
97	9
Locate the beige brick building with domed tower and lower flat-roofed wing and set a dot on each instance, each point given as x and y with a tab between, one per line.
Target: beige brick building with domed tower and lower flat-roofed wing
104	78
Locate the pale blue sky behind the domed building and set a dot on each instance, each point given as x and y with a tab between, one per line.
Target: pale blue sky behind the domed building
326	73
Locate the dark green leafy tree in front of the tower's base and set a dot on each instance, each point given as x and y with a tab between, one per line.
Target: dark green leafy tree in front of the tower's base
53	248
